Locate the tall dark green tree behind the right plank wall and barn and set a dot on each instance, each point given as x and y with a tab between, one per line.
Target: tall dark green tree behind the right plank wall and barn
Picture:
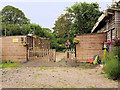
84	16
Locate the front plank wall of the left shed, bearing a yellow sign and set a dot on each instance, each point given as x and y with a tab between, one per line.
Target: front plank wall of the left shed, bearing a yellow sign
13	51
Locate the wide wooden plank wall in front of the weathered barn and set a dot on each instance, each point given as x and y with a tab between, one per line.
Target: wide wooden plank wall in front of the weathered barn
89	45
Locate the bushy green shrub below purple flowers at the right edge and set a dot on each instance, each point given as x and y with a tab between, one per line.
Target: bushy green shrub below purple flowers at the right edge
112	66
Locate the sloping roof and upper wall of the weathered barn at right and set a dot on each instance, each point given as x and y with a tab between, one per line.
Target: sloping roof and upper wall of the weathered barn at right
109	22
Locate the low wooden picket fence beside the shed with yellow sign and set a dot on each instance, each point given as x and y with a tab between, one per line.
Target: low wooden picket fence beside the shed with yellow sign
43	55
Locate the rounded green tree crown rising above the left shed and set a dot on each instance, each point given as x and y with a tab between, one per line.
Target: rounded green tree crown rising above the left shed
12	15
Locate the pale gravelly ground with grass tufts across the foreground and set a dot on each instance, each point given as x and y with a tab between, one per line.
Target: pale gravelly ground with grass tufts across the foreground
55	77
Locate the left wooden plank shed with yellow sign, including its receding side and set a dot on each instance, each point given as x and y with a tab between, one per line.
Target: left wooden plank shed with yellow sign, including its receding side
14	50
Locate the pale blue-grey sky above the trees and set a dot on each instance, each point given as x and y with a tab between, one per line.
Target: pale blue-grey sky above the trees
45	12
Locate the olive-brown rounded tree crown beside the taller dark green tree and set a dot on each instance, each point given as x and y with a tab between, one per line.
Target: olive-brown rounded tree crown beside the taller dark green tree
62	26
